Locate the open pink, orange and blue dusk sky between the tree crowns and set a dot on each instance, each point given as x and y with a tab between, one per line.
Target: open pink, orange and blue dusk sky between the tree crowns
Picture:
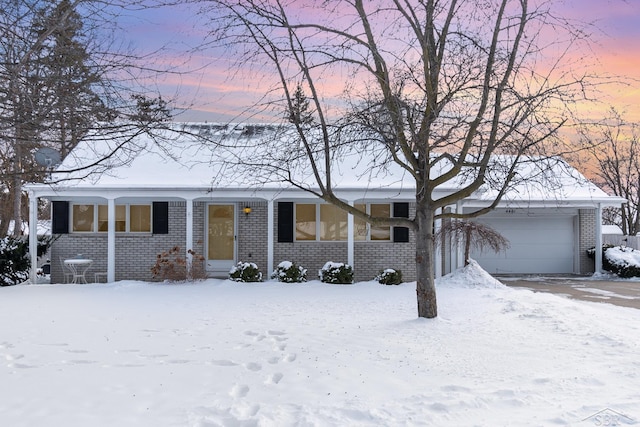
216	97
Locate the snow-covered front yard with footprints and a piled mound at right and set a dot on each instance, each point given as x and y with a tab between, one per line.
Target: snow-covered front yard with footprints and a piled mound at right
219	353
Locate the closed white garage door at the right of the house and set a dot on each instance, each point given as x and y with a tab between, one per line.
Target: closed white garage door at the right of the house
537	245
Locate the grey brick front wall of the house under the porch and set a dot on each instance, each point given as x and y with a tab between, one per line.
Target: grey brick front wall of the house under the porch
136	253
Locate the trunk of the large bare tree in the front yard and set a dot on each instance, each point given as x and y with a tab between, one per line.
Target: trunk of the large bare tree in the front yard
425	263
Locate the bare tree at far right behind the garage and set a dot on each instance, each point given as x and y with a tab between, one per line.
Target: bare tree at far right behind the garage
612	155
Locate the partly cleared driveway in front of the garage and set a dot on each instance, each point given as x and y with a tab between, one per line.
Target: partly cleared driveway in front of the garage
624	293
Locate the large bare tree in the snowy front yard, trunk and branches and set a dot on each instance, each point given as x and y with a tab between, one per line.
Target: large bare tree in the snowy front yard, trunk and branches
438	87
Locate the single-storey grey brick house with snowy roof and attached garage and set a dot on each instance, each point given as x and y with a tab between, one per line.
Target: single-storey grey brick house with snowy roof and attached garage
125	210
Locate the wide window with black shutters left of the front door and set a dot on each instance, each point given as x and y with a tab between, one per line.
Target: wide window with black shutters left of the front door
95	218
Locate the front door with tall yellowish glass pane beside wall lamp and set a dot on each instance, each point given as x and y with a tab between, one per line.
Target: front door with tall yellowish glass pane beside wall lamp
221	239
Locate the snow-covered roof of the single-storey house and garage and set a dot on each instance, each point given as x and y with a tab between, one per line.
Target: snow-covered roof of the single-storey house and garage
178	159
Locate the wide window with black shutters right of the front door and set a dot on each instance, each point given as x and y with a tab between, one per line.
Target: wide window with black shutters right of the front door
326	222
